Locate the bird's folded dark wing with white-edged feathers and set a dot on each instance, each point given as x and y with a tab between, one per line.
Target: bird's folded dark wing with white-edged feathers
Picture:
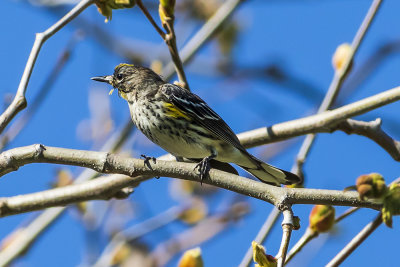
200	112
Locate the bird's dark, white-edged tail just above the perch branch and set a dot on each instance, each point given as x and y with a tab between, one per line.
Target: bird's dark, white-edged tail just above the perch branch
270	174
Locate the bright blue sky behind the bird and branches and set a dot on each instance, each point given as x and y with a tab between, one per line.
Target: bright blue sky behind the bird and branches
298	36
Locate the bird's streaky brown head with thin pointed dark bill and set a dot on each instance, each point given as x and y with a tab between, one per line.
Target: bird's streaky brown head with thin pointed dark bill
132	81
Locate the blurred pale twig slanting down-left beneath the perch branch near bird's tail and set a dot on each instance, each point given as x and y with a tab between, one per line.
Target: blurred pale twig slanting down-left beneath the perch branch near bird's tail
261	236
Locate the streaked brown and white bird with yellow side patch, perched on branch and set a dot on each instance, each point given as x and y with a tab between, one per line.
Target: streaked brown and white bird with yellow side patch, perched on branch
184	125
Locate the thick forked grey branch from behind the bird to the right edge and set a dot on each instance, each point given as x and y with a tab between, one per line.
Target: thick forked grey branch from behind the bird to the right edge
332	120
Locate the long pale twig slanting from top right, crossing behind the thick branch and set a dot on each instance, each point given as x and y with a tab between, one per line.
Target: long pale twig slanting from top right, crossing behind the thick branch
336	83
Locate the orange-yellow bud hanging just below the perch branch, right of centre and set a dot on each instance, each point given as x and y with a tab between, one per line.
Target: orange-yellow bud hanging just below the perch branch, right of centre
322	218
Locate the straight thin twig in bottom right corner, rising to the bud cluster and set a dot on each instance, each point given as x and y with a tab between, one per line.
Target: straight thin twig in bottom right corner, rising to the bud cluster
356	241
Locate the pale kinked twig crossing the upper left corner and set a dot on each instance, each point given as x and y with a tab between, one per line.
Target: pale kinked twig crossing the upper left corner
19	101
